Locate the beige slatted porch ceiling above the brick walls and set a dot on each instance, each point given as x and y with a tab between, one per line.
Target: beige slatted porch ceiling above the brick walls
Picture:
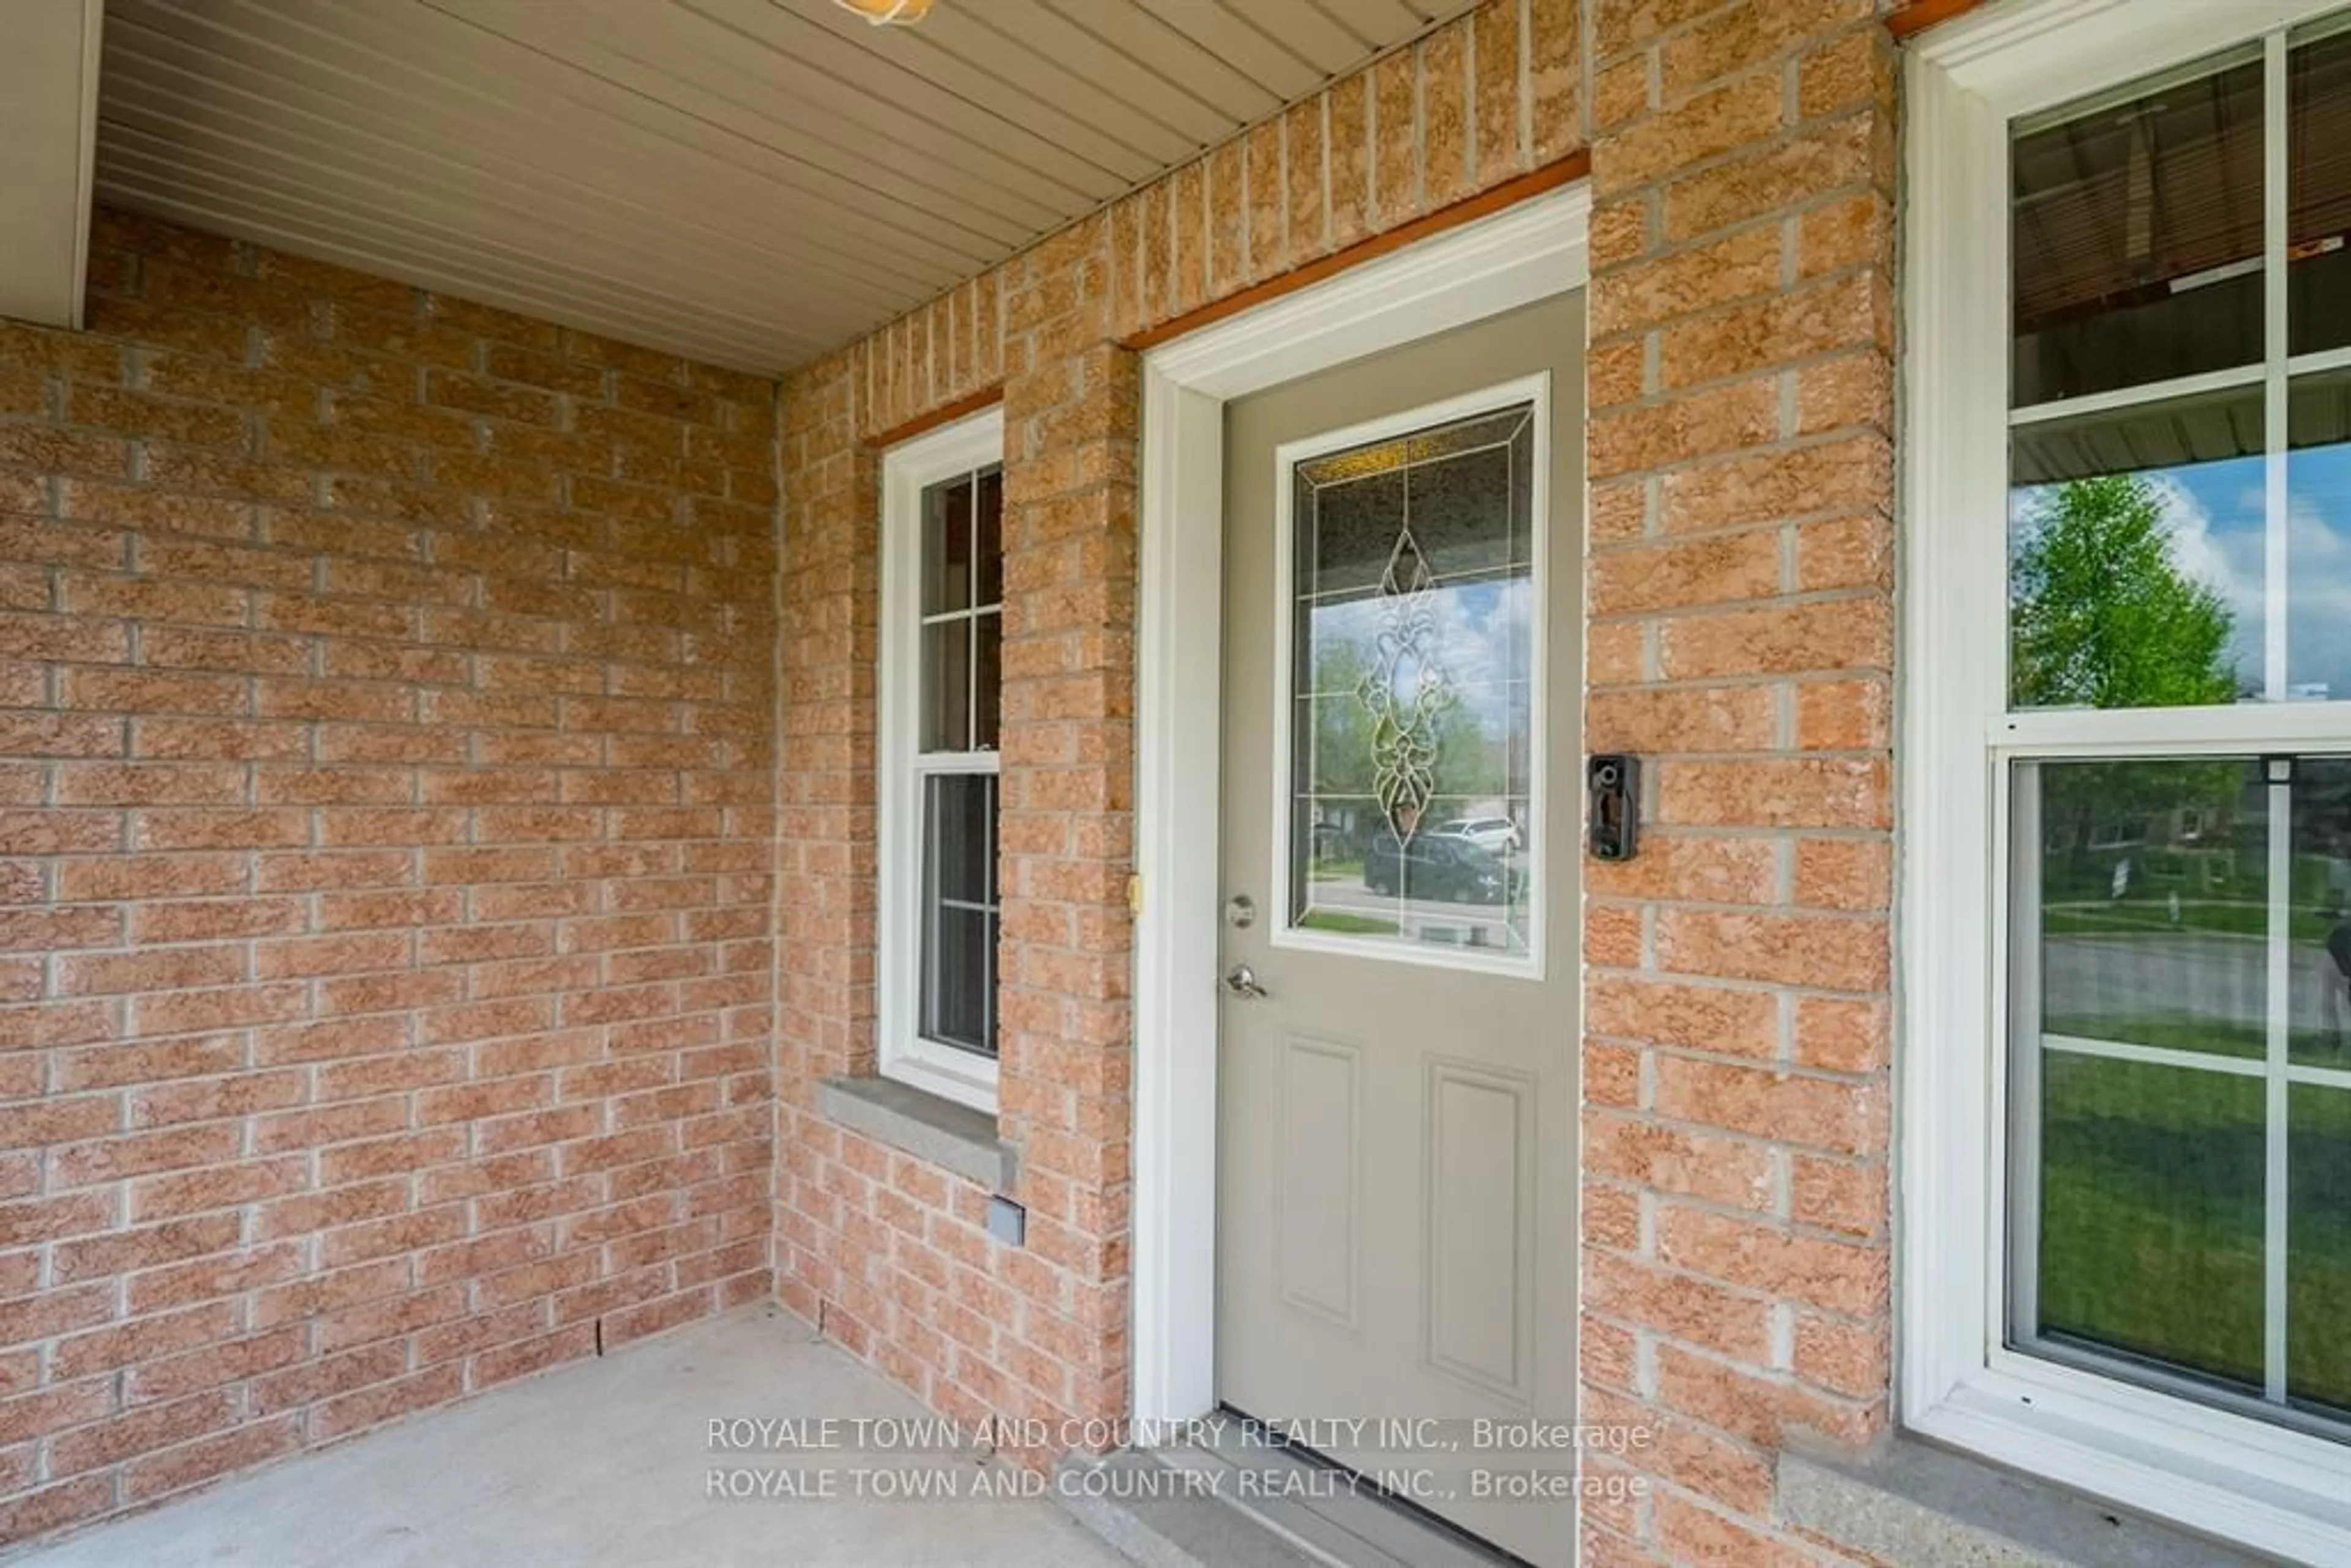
744	182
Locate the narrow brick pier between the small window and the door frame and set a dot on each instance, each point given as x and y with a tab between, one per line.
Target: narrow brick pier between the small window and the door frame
1066	840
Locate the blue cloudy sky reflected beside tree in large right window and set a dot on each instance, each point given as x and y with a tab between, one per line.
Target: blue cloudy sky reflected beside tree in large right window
2218	523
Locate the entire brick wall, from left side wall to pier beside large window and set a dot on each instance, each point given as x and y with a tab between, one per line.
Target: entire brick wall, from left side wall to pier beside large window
403	833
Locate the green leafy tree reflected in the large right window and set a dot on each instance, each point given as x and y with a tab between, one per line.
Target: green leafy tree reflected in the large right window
2103	612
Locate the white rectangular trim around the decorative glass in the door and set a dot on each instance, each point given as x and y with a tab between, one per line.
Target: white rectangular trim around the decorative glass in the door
1534	391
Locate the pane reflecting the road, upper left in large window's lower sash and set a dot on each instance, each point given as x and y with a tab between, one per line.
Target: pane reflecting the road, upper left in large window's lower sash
2155	904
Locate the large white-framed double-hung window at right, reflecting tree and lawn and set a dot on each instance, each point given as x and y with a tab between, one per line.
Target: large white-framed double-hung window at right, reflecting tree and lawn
2129	946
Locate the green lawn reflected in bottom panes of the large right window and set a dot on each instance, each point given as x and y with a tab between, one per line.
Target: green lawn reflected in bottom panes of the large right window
2152	1219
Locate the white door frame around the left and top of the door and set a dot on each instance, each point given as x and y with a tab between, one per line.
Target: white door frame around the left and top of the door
1515	257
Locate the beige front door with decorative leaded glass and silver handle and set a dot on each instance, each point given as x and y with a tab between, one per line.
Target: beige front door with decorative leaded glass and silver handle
1400	1021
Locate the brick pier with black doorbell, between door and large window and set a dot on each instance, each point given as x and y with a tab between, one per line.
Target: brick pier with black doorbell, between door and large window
1741	594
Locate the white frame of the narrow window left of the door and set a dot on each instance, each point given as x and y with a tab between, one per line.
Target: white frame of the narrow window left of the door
899	765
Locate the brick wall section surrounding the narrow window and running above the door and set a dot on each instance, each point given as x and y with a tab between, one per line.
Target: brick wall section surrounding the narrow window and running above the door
883	1249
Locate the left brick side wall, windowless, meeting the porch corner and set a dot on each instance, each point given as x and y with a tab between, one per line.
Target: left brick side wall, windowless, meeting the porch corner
387	862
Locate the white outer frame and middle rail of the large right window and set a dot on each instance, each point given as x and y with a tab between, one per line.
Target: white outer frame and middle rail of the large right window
2225	1475
